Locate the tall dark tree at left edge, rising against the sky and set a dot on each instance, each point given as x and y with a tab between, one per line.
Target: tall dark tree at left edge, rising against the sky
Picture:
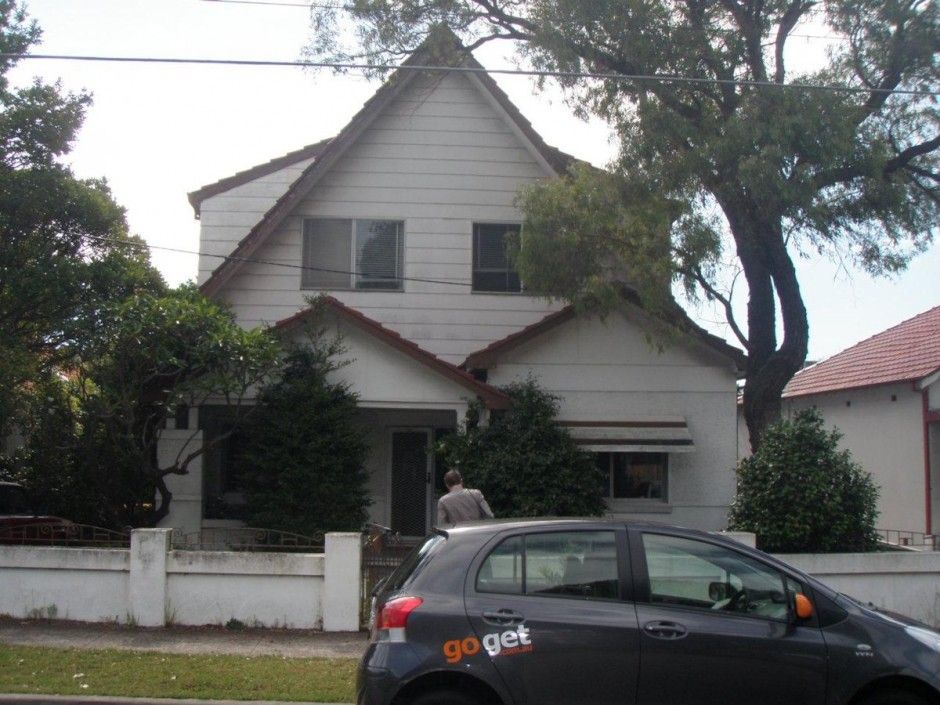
64	246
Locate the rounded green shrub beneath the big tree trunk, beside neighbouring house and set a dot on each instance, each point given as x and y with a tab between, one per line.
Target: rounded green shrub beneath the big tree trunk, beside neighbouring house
799	493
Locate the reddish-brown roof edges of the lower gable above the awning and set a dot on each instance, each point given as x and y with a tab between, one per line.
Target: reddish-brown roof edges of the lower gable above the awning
677	318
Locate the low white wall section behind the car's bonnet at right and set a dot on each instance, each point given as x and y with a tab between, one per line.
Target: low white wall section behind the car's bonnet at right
904	582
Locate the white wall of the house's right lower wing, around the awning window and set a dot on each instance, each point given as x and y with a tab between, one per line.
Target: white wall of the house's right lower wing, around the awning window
607	370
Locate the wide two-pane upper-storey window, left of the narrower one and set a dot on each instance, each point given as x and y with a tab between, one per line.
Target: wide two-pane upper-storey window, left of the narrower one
352	253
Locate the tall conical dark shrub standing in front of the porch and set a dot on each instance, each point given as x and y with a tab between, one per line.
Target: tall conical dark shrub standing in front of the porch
302	467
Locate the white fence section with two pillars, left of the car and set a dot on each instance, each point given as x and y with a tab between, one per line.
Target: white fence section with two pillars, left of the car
151	585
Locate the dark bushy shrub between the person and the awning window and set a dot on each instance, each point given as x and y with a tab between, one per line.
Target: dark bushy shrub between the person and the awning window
525	464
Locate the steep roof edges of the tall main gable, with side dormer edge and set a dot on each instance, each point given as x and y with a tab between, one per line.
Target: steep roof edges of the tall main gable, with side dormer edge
442	48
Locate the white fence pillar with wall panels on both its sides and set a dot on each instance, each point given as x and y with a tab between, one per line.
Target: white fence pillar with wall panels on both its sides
147	598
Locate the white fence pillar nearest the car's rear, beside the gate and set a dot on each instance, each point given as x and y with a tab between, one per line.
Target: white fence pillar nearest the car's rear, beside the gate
342	582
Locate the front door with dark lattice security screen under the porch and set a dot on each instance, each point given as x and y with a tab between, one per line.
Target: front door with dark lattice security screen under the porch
410	482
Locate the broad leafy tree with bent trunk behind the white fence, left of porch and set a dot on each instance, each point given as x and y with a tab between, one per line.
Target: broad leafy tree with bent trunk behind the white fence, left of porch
91	431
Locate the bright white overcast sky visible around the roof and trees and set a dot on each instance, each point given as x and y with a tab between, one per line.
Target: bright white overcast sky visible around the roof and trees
158	131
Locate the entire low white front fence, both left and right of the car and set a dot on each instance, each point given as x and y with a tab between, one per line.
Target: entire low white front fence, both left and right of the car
152	585
